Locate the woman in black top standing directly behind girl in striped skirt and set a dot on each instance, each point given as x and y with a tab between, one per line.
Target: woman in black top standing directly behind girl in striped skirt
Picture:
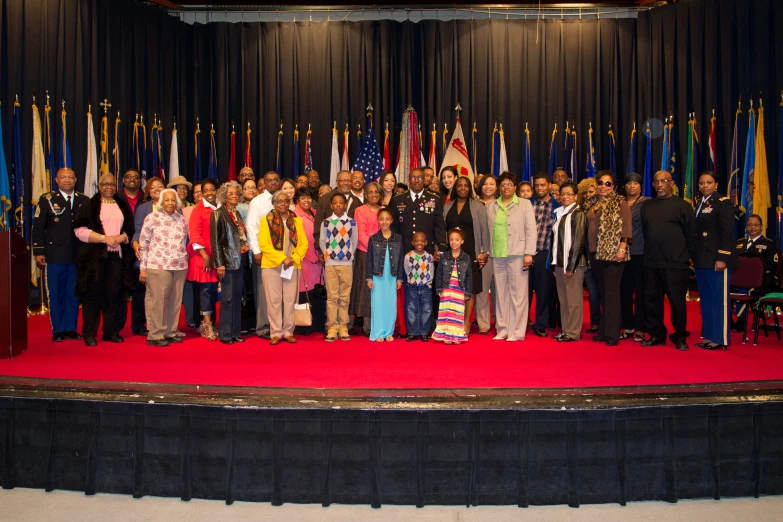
470	216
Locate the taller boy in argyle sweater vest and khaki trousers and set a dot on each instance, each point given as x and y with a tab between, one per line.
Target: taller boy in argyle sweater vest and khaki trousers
338	243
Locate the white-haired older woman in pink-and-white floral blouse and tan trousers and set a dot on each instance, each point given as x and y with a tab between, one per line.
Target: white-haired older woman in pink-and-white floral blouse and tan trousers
163	265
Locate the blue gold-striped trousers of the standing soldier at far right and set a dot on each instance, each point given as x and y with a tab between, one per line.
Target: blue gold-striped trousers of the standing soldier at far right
715	304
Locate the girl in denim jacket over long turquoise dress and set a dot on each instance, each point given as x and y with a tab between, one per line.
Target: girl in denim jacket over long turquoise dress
384	277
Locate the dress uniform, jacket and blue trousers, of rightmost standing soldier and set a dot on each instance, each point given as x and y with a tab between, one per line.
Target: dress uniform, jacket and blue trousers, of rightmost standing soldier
715	242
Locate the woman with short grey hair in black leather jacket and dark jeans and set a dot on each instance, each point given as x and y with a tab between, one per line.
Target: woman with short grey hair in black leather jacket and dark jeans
229	246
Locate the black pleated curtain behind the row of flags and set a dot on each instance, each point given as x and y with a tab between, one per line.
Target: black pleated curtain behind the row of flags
693	56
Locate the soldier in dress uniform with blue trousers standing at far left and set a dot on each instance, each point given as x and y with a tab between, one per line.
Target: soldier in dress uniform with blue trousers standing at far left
54	248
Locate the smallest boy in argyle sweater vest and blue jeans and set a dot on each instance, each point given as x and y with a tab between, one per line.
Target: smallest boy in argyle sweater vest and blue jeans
419	274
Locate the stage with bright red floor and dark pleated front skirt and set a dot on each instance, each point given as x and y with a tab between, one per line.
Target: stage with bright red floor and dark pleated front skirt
486	422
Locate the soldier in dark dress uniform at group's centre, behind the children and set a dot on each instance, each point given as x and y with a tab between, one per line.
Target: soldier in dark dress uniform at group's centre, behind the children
419	210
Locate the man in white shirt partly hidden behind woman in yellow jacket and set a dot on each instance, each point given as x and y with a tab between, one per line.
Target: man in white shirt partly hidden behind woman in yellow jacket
259	207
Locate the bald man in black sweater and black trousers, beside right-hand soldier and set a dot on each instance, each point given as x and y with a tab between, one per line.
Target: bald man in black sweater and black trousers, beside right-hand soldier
669	232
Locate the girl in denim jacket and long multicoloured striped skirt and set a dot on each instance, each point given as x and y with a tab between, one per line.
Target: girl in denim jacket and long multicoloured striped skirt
454	285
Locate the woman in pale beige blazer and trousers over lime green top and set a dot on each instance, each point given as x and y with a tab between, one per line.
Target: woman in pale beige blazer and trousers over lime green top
512	245
